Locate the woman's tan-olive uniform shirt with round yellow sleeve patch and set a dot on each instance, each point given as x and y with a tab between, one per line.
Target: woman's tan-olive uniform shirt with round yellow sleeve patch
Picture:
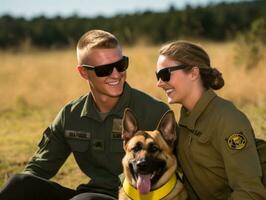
217	152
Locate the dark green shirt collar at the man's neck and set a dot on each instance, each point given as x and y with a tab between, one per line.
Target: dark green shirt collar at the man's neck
89	109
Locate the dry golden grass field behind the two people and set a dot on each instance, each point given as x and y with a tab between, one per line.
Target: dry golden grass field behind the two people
34	84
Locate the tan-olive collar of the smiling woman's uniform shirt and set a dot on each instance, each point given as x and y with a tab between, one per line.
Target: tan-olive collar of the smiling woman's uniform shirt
189	118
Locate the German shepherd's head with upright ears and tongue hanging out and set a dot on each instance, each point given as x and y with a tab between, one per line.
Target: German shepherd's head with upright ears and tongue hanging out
149	161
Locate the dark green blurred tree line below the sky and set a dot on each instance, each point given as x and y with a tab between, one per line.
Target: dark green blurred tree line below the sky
218	22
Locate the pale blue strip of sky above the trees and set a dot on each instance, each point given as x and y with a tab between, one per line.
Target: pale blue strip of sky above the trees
90	8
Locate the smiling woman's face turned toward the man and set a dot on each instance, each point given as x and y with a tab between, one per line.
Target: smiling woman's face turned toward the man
179	87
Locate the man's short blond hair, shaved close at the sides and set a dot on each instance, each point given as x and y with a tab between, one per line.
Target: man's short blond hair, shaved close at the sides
95	39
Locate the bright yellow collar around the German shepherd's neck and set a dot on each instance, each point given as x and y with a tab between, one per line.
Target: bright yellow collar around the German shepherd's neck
159	193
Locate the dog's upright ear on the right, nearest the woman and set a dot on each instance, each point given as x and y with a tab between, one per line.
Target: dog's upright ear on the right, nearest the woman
167	127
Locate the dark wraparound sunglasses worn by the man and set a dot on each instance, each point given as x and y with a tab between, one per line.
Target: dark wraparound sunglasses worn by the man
106	70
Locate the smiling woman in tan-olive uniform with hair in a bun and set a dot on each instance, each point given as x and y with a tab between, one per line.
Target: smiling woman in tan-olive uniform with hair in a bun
216	147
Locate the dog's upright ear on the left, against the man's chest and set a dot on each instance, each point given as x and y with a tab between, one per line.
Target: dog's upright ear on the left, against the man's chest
129	125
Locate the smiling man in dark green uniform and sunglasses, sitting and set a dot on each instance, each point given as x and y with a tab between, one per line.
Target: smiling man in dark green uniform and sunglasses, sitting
90	127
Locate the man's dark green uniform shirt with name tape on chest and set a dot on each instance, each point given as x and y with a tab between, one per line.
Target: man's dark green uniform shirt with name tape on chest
95	142
